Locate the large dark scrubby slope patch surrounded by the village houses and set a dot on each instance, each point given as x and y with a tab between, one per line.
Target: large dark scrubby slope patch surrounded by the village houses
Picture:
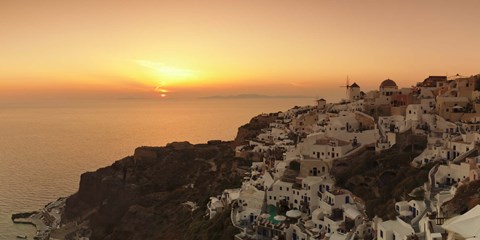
381	179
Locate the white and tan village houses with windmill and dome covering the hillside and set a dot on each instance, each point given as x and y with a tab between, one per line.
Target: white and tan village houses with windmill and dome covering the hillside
292	195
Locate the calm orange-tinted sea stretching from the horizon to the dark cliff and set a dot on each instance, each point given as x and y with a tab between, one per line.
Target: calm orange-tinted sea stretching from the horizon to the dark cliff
46	146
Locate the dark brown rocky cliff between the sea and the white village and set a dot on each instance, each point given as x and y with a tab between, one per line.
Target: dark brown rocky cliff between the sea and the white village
141	197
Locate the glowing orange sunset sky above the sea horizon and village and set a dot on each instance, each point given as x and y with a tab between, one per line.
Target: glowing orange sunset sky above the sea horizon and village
198	48
